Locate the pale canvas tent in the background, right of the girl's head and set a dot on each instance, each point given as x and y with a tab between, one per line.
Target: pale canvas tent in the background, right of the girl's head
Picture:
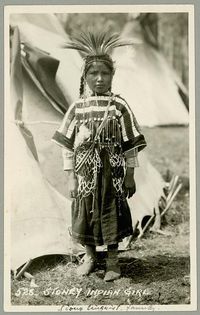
156	86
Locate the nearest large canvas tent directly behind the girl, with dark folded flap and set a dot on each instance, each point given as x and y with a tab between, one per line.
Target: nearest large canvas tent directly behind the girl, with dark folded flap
36	190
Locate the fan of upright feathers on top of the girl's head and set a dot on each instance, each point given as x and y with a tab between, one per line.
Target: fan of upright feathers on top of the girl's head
93	44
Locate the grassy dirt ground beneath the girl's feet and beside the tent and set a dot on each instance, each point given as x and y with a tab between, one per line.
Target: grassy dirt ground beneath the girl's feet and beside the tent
156	270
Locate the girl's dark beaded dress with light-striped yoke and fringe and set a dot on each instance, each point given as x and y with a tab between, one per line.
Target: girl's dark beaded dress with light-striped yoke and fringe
98	133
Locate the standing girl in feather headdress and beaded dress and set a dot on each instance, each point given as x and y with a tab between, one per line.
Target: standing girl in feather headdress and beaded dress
100	138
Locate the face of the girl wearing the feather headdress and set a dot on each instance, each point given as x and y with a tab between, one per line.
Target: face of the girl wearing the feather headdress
99	77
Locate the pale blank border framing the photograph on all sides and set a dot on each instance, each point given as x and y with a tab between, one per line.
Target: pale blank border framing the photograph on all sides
10	9
